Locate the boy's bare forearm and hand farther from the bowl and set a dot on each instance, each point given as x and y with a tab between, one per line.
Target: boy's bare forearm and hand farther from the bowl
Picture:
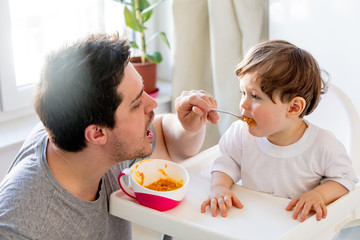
317	199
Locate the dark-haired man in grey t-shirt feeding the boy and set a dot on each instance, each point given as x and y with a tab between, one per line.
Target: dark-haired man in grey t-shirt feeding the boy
96	121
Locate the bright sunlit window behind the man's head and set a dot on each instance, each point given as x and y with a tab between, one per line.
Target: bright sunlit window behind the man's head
30	29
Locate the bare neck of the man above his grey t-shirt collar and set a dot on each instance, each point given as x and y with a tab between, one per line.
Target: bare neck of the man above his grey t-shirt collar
79	173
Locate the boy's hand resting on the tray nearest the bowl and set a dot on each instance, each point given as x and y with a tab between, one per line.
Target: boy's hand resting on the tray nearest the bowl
222	198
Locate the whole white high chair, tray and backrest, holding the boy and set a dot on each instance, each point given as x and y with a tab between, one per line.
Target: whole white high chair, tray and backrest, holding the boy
264	215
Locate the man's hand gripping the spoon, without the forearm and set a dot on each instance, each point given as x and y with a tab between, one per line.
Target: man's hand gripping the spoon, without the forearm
194	109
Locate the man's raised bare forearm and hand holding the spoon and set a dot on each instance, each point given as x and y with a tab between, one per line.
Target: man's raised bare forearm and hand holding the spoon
181	136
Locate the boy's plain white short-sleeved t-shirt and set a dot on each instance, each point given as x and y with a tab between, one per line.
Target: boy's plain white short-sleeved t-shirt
286	171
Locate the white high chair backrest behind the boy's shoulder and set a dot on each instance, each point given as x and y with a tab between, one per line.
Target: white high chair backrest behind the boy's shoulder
336	113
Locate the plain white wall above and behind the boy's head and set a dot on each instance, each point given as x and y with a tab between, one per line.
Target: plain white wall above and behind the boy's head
329	30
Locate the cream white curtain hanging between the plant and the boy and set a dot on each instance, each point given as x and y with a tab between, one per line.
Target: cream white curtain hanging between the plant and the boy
211	36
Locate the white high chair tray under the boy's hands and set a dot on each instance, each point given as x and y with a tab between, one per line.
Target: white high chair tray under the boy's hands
263	216
